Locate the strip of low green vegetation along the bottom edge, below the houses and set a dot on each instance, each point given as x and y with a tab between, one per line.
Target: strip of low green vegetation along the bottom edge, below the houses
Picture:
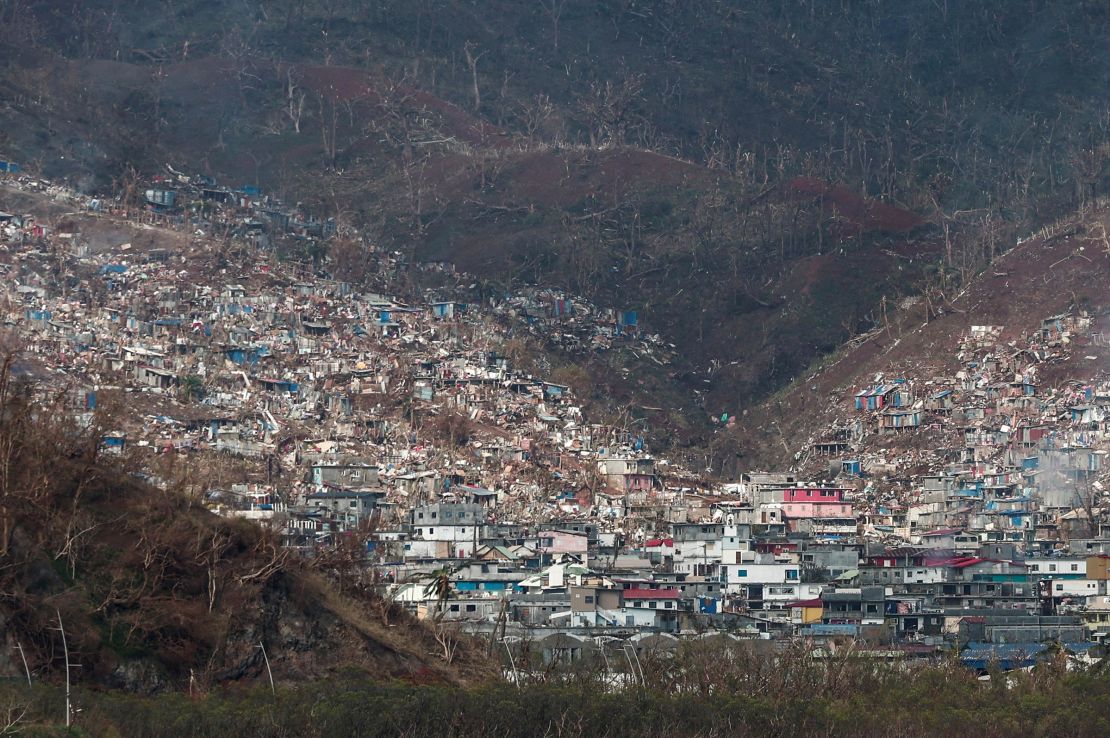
881	702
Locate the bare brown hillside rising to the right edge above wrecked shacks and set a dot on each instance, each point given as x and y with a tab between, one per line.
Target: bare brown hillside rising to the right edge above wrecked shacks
1065	269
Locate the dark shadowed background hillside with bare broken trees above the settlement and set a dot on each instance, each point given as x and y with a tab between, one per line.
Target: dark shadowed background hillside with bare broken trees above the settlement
759	184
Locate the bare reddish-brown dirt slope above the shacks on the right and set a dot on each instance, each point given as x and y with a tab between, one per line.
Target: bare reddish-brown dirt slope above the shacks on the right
1040	278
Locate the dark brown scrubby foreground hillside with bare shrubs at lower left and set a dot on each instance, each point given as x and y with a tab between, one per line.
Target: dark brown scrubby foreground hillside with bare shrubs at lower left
156	593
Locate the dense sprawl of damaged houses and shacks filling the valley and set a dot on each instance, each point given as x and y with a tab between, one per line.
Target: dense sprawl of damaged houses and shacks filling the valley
483	496
